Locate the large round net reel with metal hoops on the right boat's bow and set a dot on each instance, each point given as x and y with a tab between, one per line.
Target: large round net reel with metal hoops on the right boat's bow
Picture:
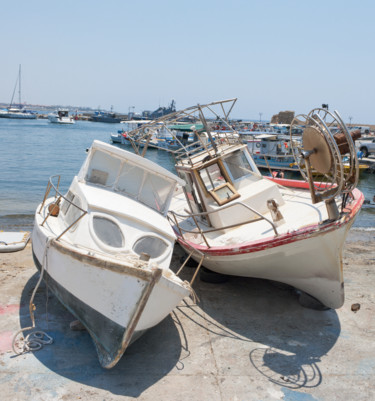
326	157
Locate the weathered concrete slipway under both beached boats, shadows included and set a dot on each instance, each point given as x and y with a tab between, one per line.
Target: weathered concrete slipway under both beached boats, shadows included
247	339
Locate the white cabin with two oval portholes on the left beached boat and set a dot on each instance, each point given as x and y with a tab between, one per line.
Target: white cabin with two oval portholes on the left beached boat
118	203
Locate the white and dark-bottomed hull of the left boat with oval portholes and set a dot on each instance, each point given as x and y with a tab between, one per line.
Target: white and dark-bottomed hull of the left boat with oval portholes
116	302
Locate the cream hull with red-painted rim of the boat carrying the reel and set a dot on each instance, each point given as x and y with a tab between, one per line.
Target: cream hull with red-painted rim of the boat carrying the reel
309	259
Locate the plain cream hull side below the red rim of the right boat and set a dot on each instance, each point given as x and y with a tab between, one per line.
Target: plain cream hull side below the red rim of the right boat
312	264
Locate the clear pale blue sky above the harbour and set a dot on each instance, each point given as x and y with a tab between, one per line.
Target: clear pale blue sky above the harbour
138	55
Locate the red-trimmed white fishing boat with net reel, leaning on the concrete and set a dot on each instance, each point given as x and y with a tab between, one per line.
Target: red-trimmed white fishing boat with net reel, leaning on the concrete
234	221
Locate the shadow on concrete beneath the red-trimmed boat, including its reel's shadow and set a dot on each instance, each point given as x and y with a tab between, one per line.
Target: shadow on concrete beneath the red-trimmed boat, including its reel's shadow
285	340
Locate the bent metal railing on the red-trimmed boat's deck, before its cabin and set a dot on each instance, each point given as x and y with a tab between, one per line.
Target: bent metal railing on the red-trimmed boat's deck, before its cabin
174	221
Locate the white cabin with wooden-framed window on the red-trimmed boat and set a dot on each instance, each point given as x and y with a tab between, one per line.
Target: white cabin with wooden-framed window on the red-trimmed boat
227	189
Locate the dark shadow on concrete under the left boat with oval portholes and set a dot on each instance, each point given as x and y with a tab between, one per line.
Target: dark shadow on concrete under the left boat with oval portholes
73	356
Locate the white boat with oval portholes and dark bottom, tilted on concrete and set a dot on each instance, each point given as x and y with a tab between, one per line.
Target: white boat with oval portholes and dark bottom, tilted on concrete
105	247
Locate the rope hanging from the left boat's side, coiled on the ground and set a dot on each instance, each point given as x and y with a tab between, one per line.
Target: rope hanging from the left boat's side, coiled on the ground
33	341
